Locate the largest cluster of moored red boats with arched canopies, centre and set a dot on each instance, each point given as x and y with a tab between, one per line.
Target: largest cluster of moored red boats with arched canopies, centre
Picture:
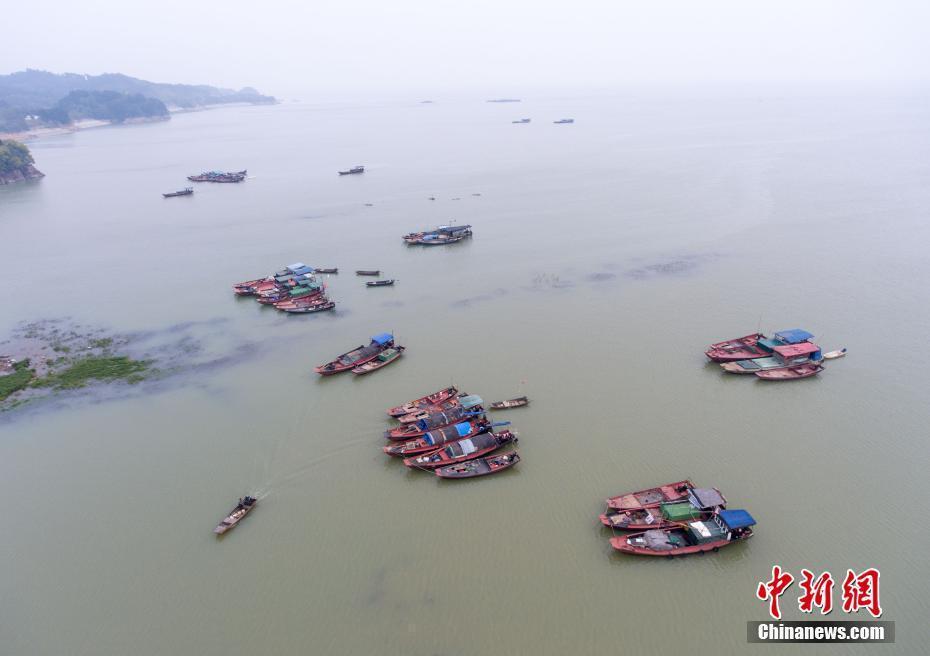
447	432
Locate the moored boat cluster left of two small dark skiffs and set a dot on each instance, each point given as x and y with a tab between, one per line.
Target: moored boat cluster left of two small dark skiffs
294	289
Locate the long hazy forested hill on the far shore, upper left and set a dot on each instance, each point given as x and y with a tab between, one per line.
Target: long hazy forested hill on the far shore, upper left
33	98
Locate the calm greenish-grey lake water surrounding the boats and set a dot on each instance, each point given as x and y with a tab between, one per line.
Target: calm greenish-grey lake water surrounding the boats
607	254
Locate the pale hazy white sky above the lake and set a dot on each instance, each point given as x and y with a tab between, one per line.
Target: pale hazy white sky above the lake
326	48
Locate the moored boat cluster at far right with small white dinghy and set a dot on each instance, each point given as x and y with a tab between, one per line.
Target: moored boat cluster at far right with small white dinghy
786	355
